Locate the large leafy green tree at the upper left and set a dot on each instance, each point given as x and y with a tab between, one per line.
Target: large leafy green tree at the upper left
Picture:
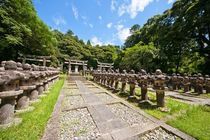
22	31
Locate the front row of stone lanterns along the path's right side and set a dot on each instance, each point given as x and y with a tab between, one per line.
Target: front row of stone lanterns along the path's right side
112	78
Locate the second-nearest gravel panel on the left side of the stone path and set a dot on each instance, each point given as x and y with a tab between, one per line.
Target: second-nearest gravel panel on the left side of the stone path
73	101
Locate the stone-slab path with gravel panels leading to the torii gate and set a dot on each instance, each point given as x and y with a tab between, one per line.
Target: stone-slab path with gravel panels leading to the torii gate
86	111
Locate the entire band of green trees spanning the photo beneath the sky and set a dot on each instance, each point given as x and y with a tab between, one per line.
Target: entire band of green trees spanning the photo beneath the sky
177	40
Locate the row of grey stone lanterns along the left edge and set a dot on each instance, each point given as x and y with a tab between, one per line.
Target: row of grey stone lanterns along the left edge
20	84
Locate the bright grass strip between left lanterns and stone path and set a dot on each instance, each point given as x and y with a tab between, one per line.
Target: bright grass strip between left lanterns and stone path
33	123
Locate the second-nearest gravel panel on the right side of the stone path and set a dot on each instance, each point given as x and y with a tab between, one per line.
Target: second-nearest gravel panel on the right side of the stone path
128	115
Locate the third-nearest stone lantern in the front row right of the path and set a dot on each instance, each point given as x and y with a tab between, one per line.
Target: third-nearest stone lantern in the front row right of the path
132	82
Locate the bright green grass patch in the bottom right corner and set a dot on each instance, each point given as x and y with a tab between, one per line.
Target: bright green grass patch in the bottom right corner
195	122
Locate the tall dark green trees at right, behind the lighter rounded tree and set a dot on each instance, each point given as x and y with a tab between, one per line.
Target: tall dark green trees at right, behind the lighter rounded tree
180	33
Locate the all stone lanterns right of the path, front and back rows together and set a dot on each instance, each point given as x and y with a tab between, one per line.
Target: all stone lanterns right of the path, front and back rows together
143	80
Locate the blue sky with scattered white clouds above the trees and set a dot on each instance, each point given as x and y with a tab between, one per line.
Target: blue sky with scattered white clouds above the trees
100	21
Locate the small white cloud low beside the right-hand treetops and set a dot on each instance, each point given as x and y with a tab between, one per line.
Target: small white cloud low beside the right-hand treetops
122	32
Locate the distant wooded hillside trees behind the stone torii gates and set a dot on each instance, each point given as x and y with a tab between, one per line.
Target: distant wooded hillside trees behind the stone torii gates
71	47
